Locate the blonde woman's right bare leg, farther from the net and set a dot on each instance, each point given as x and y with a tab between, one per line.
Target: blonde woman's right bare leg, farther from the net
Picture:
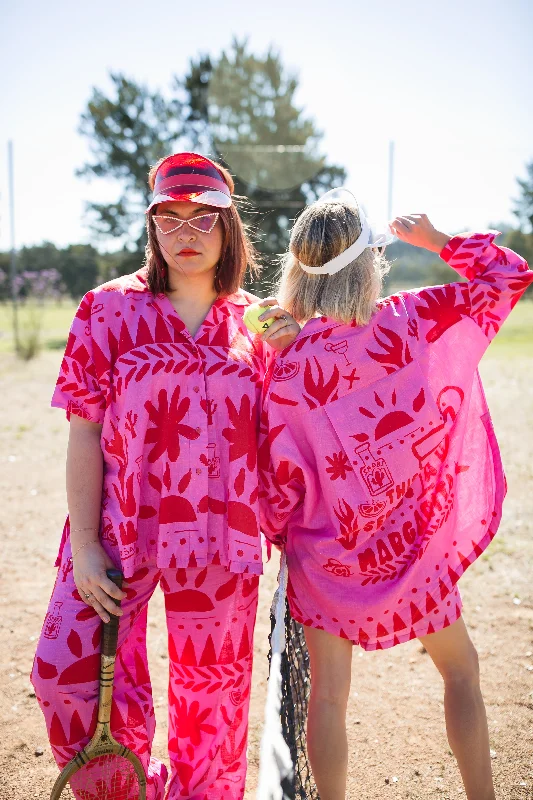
456	658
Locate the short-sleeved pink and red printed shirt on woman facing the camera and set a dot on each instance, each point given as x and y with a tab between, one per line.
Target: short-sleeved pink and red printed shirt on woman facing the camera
180	421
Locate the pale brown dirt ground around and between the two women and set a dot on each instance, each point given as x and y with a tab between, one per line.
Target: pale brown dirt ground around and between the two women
396	725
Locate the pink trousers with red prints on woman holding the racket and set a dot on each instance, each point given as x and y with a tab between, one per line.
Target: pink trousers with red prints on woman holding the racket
210	616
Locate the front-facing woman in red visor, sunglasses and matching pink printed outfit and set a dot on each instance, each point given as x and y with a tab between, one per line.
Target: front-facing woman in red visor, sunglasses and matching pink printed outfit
161	382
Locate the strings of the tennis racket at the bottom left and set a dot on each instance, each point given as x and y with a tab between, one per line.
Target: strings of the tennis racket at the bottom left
107	777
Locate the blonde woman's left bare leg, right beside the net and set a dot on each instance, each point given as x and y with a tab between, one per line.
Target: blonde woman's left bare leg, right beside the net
331	659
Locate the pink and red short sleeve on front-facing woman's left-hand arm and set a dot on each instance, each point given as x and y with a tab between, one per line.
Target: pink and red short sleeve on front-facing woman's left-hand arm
83	380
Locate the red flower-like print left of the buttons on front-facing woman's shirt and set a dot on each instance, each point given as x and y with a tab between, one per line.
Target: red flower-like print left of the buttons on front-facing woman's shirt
168	426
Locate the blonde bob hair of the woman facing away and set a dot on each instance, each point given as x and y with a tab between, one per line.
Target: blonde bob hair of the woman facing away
321	232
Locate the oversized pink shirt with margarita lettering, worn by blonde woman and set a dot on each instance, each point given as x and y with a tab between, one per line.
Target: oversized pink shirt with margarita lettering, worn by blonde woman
379	463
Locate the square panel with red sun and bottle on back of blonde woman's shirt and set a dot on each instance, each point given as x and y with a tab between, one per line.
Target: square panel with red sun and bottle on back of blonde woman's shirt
388	430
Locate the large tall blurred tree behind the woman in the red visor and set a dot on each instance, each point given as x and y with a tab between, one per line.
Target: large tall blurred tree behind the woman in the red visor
240	109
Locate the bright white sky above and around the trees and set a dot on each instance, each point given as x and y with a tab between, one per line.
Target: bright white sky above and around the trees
449	82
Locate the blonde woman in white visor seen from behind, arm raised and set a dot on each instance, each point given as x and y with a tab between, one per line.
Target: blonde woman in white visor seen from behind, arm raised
380	469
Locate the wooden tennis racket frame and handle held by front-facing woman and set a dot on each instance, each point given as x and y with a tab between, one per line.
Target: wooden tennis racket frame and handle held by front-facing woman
103	742
